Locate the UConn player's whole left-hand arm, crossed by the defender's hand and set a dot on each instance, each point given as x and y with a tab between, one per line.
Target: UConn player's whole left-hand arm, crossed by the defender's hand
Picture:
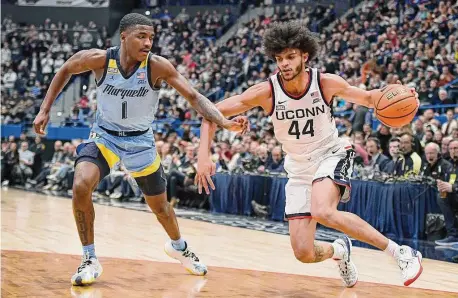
257	95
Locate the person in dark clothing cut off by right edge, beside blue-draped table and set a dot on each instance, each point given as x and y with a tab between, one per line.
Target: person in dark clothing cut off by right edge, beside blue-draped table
448	198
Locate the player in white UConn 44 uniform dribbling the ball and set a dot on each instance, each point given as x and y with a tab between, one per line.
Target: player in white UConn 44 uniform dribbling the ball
319	163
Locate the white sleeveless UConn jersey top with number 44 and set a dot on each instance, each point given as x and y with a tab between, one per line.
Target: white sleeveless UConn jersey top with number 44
303	124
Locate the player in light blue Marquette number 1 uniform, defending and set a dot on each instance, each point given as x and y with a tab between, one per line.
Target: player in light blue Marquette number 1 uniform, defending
128	79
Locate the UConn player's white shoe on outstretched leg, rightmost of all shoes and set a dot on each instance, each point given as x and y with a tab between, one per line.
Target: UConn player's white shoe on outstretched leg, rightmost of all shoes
409	261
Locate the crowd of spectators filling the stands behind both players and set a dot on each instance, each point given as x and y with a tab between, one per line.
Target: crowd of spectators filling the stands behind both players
414	43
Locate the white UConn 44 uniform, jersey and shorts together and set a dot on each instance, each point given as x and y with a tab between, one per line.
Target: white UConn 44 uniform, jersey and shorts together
306	128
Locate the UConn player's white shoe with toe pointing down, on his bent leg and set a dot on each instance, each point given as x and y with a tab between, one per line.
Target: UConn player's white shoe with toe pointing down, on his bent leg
347	268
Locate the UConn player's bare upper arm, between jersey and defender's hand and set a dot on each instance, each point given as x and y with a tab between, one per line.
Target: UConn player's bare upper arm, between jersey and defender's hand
255	96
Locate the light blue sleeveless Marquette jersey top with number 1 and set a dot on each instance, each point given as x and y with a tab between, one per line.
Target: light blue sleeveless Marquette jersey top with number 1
125	103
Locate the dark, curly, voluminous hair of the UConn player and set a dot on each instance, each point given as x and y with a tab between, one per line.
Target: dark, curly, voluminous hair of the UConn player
290	35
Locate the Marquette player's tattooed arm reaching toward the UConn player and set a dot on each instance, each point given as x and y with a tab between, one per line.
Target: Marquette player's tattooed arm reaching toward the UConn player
166	72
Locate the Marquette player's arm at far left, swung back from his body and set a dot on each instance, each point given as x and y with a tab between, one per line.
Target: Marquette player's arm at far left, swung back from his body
80	62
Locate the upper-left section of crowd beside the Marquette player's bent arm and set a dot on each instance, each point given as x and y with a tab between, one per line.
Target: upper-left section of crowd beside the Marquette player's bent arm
30	57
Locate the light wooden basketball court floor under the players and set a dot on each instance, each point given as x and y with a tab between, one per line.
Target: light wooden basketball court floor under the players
41	250
